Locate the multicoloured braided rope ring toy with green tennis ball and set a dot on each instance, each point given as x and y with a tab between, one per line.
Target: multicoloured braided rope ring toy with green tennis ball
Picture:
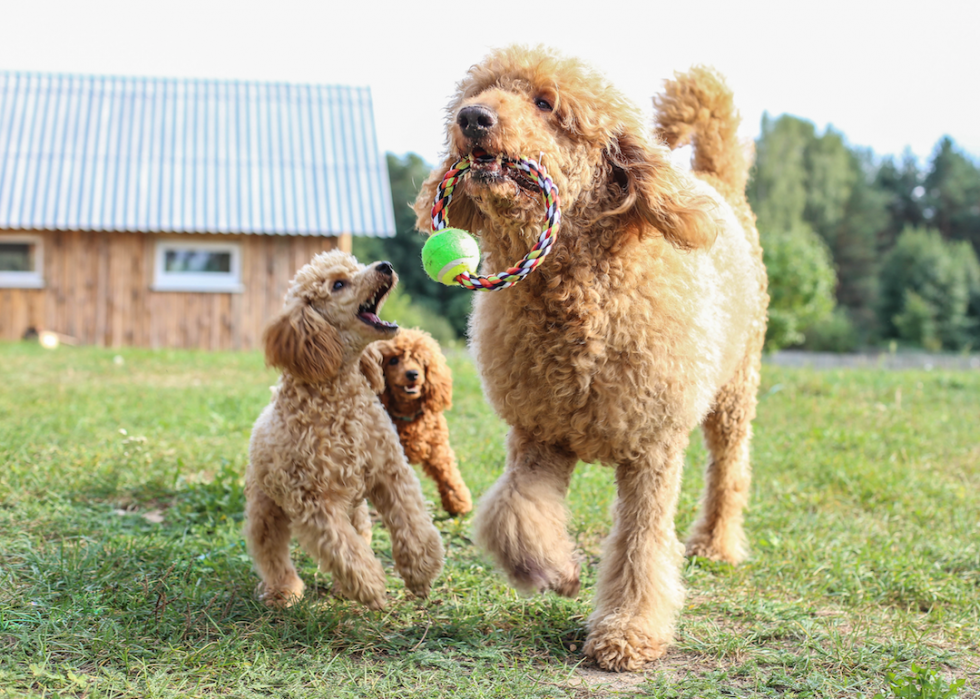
451	255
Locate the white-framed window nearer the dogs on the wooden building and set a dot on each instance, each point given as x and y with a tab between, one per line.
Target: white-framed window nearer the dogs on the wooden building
194	266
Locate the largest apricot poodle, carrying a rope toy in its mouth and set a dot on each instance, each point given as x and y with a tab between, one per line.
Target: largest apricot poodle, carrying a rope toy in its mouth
647	320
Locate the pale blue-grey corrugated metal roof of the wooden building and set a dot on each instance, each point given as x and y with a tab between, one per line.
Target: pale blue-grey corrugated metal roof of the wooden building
157	154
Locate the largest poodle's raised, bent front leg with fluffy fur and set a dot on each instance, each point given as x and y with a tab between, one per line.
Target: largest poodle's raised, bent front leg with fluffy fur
522	520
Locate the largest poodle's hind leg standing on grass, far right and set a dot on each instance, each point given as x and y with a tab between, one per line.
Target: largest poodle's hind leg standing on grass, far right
718	533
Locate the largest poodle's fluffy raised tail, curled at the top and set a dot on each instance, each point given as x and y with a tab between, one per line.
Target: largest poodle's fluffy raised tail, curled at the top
697	106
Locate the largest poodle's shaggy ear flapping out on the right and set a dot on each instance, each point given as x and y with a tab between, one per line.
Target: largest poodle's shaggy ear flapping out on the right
647	194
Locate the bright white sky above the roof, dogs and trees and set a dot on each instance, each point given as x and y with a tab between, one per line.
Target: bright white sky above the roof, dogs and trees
890	75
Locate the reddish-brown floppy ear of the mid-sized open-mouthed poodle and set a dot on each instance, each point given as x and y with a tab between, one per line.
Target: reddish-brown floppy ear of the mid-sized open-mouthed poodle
301	342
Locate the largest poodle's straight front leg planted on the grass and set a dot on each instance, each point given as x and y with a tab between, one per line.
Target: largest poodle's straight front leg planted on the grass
639	590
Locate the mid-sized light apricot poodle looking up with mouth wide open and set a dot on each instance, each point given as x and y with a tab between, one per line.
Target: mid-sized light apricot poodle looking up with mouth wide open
325	443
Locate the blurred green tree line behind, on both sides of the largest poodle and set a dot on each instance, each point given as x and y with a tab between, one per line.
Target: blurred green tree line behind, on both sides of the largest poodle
861	250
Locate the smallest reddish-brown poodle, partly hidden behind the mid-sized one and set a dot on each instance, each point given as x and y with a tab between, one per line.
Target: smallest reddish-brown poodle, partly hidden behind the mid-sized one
418	387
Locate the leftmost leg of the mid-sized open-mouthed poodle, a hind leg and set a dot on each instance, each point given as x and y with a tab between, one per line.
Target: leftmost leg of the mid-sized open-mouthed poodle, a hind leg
267	533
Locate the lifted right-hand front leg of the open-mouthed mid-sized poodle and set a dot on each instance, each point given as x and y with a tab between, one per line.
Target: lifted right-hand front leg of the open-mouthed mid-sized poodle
416	546
